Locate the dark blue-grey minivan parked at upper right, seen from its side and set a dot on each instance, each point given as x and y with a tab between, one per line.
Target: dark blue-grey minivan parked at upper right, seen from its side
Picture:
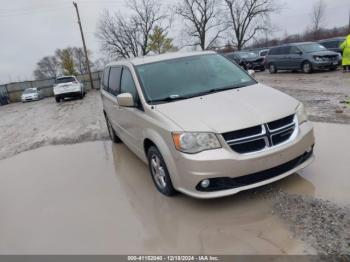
307	56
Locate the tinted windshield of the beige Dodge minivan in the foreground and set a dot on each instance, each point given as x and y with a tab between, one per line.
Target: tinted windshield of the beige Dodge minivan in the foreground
190	76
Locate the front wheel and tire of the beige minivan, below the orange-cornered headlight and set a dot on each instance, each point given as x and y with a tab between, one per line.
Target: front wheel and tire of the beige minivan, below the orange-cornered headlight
159	172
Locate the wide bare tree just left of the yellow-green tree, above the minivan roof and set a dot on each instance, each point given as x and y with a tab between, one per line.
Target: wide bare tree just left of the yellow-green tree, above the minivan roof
127	37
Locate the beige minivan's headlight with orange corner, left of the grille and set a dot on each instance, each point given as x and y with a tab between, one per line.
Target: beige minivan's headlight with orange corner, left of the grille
195	142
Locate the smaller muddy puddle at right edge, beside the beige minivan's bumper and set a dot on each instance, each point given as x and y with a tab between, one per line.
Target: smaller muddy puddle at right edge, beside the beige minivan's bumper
329	175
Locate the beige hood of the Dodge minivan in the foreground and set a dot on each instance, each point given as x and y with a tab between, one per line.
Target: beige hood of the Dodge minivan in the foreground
229	110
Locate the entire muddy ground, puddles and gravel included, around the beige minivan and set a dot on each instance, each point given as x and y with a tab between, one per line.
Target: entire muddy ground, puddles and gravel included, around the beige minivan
104	202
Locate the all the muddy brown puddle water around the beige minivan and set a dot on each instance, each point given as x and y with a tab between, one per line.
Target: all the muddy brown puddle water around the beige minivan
98	198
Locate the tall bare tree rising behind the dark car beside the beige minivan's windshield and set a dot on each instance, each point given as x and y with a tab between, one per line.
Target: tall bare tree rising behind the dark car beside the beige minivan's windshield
249	17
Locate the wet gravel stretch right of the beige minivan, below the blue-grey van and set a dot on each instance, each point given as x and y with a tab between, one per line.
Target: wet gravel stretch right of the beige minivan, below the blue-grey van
323	93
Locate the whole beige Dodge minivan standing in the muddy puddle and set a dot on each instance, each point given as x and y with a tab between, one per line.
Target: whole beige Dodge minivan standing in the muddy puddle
203	125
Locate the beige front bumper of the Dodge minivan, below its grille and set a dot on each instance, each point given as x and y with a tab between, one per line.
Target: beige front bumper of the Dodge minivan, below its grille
189	170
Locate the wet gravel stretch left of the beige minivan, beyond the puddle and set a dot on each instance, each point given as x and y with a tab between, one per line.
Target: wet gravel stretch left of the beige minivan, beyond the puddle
26	126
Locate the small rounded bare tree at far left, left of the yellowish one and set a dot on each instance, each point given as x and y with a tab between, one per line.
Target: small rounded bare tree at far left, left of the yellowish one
48	67
